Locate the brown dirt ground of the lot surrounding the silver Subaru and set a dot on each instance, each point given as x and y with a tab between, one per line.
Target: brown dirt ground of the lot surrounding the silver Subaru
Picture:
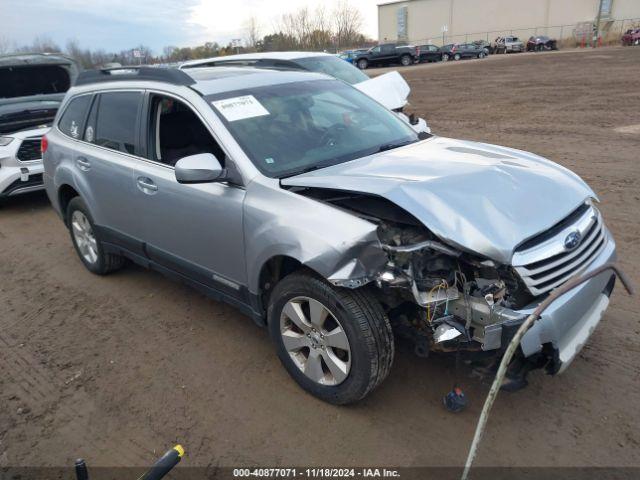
116	369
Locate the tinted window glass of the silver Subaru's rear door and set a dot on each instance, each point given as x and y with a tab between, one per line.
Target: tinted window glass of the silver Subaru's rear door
117	121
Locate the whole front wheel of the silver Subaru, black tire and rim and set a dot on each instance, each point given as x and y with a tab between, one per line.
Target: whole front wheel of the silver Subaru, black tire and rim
336	343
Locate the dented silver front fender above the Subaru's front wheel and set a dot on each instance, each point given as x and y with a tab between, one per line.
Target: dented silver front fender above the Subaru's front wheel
341	247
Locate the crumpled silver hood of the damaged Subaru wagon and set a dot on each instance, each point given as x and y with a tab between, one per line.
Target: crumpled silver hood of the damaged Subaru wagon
482	198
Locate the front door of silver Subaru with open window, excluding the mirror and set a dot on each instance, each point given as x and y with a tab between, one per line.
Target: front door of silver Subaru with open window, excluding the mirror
194	230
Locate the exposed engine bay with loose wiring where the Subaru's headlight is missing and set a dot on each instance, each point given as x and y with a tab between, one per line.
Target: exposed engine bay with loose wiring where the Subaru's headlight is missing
439	297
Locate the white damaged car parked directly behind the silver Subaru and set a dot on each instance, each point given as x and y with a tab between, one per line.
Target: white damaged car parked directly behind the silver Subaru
389	89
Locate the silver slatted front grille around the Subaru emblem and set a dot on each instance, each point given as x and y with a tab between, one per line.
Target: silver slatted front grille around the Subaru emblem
544	262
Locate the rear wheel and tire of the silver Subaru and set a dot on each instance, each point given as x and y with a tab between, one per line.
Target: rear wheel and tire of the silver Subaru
86	241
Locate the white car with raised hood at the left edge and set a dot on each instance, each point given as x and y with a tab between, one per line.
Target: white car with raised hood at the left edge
32	86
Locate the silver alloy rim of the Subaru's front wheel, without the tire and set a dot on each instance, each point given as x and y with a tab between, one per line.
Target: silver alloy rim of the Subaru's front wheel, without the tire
315	340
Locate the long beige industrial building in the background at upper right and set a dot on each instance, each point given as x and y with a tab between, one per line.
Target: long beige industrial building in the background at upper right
452	21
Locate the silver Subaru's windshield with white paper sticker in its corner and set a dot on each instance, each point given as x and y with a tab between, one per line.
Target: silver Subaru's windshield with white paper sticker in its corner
290	128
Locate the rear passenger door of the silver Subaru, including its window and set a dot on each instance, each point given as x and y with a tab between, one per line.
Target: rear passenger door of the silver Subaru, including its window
104	163
